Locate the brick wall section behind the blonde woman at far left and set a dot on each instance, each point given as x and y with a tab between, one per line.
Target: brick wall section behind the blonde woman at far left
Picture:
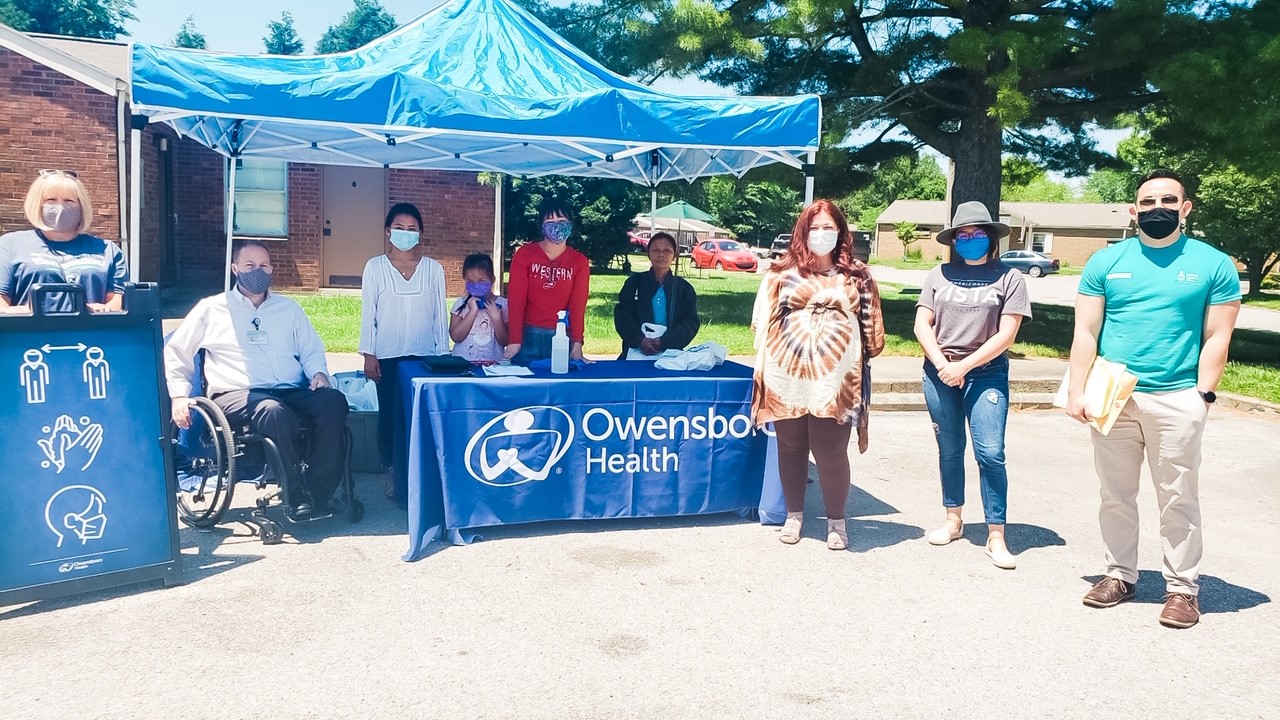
52	121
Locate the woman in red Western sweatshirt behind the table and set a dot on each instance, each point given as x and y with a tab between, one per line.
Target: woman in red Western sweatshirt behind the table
547	277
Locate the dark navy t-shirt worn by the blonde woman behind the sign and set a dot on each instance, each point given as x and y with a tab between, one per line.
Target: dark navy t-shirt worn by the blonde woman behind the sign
29	258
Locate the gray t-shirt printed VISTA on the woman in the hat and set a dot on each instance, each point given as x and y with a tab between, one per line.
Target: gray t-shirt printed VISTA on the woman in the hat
968	302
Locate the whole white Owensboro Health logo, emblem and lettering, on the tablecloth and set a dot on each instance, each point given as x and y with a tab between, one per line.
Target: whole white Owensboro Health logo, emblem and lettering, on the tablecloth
525	445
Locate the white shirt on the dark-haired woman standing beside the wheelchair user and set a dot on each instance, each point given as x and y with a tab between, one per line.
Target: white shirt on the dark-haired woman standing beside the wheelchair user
404	317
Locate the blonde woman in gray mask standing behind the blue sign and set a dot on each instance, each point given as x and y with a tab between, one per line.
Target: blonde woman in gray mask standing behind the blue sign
60	250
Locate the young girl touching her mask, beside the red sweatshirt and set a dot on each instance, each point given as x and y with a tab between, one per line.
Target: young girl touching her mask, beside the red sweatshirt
479	321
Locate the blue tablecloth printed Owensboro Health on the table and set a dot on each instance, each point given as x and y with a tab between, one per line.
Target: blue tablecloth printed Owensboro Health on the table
615	440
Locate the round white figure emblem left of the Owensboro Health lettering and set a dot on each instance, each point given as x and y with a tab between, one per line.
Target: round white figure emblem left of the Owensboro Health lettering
520	446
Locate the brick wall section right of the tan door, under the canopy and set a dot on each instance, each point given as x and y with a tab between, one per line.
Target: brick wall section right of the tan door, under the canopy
458	213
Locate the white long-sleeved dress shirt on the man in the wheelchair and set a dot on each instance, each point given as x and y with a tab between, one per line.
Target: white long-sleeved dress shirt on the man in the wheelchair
269	347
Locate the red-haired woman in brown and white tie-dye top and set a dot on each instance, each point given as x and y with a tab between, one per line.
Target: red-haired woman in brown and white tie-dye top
817	323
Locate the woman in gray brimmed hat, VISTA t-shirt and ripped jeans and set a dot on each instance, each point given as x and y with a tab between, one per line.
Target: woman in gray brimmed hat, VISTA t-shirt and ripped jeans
968	316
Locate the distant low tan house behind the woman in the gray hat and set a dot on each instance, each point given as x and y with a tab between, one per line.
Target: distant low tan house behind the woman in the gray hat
1068	231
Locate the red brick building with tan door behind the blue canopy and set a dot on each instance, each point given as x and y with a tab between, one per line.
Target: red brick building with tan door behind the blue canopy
65	103
